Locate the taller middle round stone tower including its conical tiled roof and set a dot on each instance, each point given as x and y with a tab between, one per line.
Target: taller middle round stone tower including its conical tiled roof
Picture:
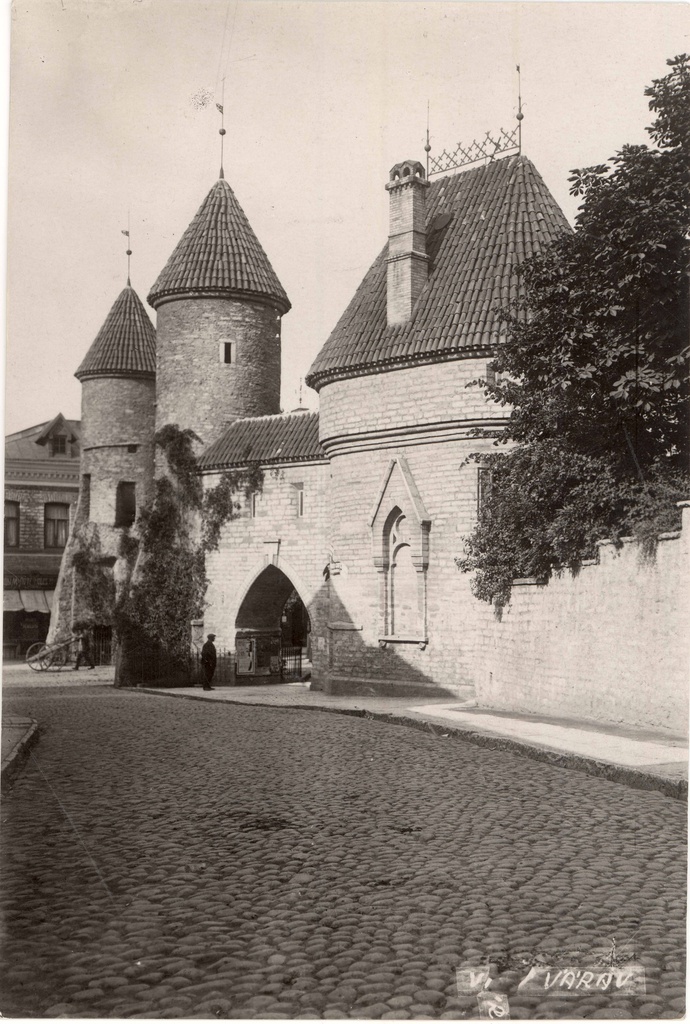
220	306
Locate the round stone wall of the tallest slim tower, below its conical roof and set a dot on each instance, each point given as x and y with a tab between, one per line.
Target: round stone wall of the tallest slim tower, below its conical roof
195	389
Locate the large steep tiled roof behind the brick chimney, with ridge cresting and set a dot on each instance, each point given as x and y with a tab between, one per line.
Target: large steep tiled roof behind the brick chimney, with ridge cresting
481	225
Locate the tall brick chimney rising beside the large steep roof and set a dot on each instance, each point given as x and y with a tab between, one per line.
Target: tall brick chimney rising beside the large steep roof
408	259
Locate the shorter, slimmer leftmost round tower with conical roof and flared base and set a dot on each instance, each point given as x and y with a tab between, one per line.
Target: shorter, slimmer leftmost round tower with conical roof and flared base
118	377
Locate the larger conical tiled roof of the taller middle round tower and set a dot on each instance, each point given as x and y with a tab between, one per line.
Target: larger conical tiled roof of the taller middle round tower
220	254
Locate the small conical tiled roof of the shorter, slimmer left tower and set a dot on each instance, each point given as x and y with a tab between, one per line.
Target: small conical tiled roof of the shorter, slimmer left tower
125	345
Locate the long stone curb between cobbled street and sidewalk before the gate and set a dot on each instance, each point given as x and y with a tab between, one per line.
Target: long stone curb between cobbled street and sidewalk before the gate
676	789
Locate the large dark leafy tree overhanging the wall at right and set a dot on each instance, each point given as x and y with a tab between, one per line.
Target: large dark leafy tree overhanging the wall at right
595	368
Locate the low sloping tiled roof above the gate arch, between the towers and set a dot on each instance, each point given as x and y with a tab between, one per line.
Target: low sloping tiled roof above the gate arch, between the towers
288	438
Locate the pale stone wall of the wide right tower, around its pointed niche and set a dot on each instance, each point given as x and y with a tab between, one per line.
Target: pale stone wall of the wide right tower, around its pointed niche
426	415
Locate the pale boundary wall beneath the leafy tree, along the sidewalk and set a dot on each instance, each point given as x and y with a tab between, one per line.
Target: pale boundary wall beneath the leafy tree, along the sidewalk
610	646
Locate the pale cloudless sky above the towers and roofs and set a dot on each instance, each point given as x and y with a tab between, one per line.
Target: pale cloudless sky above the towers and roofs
113	122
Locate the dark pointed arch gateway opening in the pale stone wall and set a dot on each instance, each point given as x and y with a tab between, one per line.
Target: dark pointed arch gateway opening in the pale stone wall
273	629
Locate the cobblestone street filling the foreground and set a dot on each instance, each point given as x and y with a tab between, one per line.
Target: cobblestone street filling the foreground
177	859
